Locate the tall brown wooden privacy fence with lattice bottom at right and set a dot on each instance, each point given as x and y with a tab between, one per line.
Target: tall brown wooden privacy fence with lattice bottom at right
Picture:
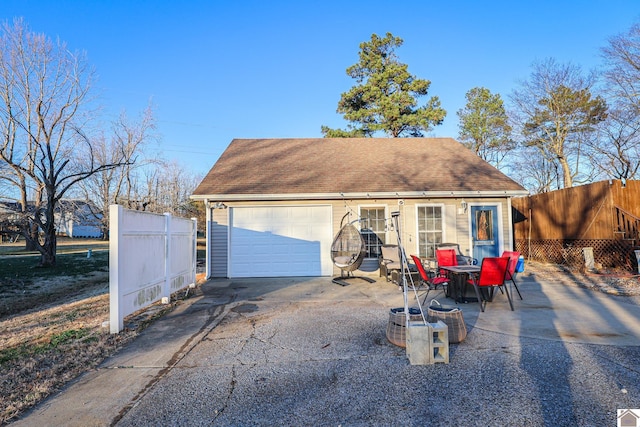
555	226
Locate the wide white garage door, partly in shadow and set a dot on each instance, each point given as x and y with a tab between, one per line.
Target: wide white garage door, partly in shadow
276	241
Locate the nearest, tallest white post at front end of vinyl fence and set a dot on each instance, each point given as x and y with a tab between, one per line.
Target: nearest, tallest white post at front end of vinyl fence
116	320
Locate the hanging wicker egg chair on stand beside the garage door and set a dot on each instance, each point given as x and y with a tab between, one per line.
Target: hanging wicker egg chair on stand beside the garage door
347	253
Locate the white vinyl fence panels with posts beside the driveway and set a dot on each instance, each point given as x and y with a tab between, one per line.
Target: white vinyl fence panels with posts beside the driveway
150	257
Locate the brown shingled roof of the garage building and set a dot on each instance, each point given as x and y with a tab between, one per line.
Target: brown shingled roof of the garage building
350	165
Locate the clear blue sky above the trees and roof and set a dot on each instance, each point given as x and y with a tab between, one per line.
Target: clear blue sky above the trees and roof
218	70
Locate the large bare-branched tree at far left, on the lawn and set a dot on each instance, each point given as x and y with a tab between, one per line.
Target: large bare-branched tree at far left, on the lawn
44	88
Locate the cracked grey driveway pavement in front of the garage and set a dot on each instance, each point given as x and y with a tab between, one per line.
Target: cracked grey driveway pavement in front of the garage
308	352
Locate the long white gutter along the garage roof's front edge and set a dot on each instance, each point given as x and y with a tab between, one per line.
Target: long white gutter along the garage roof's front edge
359	195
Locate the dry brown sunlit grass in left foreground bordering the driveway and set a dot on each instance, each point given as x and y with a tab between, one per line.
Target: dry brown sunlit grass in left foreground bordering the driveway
42	350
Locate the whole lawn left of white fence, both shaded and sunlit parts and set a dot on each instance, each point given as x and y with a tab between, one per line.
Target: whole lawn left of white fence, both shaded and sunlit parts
52	329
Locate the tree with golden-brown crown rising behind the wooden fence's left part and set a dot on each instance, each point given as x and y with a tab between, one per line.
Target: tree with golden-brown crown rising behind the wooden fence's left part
556	113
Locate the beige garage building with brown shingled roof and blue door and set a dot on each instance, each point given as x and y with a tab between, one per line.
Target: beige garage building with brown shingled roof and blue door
273	206
